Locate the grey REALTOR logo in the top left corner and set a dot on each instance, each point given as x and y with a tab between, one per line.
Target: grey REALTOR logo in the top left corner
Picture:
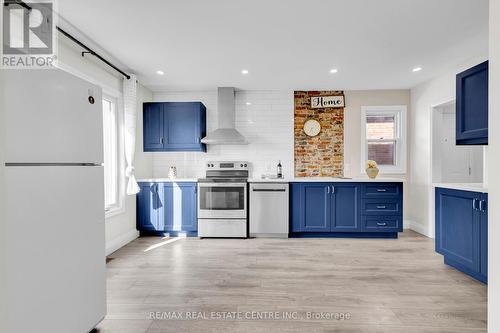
28	34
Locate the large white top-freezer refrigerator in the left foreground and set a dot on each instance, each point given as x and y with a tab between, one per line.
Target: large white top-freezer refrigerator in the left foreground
54	277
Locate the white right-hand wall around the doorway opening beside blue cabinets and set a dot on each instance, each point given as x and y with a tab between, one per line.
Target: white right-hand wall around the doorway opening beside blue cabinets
423	98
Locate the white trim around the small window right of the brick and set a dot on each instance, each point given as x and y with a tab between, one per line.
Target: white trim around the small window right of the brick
401	148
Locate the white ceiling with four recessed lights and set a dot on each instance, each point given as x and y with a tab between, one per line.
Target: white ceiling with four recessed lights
284	44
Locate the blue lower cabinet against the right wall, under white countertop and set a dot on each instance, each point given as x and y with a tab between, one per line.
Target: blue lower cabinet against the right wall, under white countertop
462	230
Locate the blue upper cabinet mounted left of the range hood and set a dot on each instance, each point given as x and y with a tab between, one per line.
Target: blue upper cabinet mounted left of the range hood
174	126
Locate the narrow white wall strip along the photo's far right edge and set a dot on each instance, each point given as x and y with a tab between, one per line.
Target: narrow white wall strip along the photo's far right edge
494	177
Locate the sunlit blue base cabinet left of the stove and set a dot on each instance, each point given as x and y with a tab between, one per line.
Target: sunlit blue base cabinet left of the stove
168	207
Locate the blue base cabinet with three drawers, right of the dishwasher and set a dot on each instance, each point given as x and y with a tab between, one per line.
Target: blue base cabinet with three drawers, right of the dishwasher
346	209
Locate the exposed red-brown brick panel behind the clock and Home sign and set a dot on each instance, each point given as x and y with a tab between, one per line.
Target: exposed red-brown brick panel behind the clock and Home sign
322	155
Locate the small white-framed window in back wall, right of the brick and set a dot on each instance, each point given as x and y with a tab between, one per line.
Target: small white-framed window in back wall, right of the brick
383	130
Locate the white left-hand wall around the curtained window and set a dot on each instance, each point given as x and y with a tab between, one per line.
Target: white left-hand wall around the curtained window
120	228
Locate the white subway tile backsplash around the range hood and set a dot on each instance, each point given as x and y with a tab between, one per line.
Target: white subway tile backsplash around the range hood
267	123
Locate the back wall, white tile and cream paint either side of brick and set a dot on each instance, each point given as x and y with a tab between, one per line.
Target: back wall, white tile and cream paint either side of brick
268	125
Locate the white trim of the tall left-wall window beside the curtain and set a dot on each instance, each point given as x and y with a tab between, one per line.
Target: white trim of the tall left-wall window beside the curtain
120	206
